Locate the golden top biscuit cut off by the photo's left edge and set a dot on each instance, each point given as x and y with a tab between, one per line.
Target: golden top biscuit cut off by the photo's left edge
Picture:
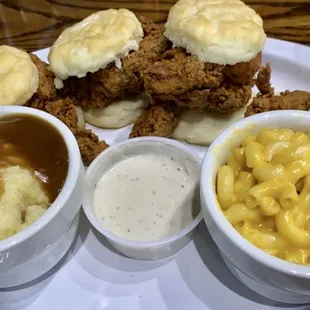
19	77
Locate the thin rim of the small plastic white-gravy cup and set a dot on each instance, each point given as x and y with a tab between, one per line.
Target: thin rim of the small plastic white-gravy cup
88	208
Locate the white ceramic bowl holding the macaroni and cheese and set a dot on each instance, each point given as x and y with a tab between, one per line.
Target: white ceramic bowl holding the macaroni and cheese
269	276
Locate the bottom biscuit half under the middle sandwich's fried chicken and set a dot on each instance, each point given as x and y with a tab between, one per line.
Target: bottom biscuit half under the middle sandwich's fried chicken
119	114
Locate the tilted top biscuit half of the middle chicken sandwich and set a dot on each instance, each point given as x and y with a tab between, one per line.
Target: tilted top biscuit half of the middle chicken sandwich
93	43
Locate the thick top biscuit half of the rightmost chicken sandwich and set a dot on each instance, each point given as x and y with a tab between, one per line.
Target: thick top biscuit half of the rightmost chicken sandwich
218	31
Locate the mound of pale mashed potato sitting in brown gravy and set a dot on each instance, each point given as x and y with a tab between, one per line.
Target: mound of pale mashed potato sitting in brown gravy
22	200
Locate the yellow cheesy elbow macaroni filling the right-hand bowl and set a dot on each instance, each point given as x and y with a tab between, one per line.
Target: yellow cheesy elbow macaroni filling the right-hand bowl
264	192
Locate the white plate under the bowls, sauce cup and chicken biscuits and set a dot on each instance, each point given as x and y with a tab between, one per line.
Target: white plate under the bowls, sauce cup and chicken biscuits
94	277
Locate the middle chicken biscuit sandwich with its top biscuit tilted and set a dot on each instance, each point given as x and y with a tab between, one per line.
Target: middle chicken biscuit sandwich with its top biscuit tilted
98	64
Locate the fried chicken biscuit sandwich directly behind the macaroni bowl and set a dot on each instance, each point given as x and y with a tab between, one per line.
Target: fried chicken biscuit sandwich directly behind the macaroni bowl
203	83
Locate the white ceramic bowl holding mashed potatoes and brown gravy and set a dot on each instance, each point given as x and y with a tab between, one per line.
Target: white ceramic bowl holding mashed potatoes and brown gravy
35	250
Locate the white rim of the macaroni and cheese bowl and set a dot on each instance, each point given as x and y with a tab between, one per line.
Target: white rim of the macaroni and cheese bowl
210	202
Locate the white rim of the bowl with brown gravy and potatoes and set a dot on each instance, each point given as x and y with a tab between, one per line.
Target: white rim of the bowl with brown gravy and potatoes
74	165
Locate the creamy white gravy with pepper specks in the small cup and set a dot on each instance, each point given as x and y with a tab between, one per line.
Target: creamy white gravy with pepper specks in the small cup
147	197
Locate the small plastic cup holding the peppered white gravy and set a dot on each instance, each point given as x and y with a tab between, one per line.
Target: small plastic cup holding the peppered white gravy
141	250
